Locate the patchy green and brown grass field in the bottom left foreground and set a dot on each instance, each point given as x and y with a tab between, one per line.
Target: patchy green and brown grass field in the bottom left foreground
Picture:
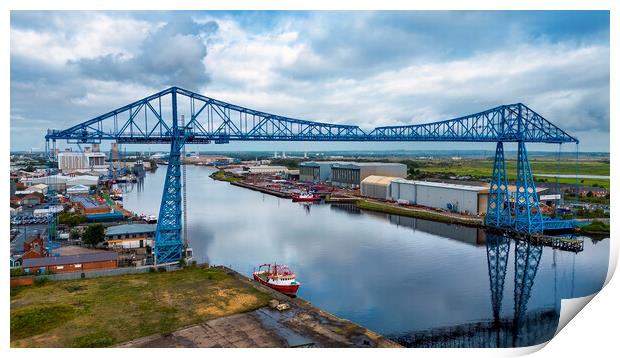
109	310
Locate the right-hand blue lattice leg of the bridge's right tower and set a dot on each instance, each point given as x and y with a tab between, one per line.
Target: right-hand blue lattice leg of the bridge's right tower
528	217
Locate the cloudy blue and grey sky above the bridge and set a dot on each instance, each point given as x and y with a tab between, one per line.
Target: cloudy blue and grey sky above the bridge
365	68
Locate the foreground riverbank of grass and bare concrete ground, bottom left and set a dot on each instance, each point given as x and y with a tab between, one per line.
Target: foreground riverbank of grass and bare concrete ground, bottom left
197	304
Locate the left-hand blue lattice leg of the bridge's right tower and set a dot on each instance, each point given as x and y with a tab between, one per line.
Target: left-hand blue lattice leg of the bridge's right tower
498	205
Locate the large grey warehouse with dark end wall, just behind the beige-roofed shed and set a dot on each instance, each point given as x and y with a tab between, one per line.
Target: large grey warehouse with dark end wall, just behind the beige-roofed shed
351	174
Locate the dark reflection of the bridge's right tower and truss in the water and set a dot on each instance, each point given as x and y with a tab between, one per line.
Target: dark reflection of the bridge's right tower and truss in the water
522	328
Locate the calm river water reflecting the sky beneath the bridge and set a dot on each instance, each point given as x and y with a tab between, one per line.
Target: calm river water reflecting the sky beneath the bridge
419	282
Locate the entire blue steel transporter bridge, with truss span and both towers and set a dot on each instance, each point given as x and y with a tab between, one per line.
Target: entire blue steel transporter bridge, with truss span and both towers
155	119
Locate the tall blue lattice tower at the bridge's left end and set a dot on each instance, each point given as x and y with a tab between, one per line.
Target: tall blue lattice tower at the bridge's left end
168	238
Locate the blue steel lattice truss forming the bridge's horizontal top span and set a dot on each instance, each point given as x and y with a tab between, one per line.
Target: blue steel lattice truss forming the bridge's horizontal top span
149	120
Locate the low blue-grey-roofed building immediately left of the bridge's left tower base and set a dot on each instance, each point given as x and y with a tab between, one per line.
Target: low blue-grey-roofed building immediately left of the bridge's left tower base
130	236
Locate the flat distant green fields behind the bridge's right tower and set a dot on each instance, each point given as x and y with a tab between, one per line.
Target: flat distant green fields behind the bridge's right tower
484	169
